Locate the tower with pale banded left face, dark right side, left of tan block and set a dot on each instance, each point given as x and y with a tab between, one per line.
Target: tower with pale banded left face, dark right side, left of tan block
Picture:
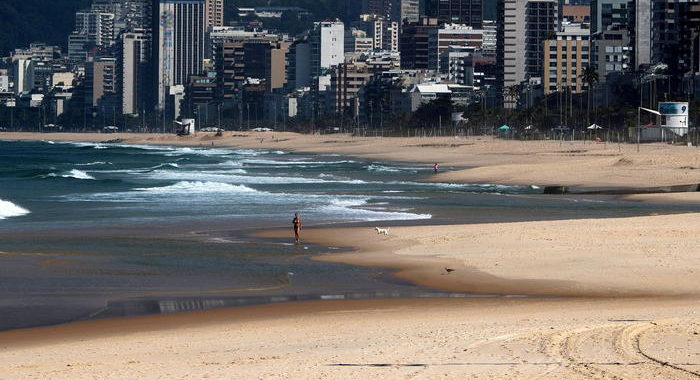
523	26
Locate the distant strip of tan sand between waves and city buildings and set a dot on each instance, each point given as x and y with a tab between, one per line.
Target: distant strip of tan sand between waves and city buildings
579	164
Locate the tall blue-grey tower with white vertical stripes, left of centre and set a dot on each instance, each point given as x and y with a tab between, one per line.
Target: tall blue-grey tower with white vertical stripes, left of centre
180	43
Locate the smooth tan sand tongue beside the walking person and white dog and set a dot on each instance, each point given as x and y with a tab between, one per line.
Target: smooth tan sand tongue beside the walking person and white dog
504	258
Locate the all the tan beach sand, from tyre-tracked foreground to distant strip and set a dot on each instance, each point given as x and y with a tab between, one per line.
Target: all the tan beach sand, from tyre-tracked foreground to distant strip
580	299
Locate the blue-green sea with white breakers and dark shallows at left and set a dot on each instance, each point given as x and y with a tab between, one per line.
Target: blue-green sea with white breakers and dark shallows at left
94	230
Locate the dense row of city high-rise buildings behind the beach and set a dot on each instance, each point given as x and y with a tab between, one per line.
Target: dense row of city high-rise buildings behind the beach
156	61
